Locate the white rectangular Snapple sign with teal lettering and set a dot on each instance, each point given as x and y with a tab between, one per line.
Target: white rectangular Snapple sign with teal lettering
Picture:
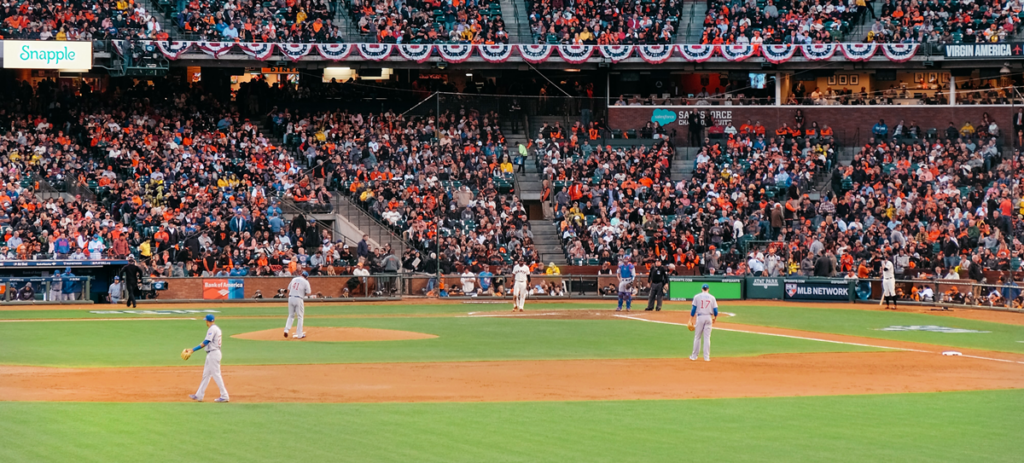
48	55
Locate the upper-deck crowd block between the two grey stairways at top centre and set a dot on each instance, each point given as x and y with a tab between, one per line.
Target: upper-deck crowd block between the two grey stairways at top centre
607	23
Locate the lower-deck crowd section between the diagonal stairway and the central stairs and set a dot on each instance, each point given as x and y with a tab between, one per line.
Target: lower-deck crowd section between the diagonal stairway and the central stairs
444	184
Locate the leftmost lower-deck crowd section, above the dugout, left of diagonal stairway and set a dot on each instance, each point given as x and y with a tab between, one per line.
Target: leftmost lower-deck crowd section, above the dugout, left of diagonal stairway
168	174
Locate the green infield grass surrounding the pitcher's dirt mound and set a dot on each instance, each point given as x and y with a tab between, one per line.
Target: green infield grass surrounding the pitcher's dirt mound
158	343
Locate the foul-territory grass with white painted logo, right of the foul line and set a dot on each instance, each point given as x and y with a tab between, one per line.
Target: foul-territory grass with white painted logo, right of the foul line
1002	338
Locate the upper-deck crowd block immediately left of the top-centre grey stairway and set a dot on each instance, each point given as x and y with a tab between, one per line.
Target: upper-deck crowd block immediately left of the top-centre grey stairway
431	22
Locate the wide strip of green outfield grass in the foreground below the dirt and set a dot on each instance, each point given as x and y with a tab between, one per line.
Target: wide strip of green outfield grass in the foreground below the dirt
949	428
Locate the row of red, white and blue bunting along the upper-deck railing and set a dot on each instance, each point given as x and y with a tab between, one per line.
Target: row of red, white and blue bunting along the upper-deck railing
574	55
